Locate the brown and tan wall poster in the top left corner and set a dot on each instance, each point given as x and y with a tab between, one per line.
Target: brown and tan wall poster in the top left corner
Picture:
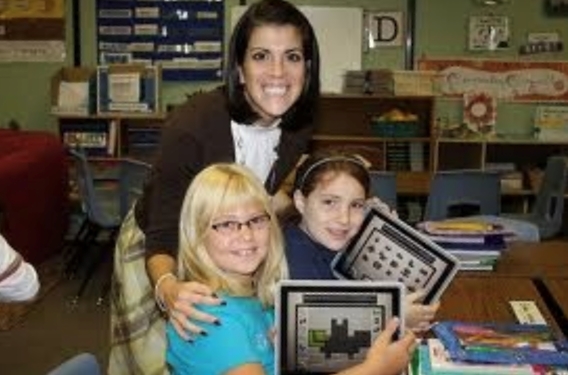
32	31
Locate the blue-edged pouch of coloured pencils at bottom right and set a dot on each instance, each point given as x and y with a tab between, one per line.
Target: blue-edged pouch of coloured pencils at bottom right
505	343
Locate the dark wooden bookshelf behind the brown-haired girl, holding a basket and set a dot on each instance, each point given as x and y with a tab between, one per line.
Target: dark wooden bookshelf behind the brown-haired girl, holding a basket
351	121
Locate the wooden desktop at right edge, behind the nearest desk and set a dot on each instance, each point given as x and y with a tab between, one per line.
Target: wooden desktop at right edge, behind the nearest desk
543	259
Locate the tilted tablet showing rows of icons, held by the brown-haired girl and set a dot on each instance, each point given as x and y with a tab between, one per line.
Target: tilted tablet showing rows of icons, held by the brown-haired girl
386	248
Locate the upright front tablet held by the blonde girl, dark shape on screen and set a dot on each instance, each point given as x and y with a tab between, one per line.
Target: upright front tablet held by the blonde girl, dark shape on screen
327	326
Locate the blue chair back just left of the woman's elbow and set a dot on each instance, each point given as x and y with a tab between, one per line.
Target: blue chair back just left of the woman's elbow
132	176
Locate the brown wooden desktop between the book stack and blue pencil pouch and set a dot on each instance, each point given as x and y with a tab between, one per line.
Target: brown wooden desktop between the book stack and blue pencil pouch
486	299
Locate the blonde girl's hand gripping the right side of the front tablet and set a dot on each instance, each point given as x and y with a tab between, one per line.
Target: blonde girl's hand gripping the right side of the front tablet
386	357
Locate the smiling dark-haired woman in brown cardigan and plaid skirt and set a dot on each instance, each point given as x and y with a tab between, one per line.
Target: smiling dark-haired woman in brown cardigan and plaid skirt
261	118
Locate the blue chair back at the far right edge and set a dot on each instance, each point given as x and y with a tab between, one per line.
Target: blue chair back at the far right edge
549	204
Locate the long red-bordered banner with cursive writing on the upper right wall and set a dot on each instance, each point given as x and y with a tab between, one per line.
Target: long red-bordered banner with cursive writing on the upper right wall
504	80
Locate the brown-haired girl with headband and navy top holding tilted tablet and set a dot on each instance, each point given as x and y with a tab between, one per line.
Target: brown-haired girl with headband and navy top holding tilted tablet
331	193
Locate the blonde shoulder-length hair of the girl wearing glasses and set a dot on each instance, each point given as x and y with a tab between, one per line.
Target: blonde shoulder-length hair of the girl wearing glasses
218	188
